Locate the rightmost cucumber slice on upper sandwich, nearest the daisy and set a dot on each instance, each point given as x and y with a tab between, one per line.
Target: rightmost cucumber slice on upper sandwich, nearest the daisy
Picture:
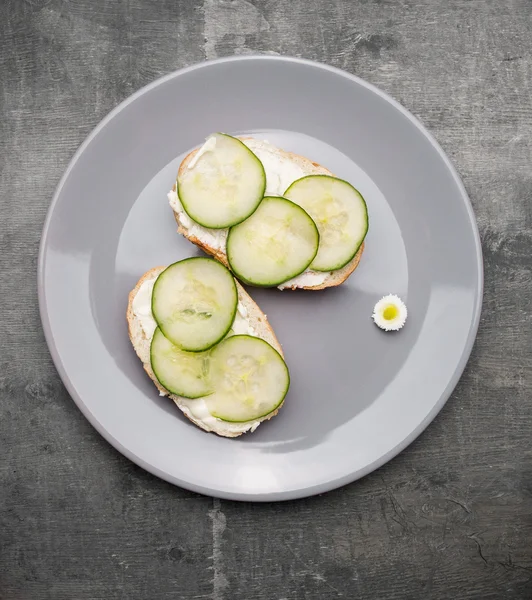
340	213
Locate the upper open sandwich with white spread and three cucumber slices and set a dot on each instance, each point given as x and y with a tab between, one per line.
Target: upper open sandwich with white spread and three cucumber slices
273	217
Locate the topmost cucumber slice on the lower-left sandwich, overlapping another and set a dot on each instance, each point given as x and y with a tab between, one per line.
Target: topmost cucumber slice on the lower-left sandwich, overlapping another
194	303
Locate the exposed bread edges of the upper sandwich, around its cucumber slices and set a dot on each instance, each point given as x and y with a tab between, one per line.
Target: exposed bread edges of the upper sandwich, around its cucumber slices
333	278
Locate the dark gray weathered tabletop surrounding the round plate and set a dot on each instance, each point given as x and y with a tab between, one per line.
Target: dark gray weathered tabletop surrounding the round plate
451	517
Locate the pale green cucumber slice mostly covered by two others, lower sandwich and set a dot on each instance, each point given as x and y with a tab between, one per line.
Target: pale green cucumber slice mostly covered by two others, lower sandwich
180	372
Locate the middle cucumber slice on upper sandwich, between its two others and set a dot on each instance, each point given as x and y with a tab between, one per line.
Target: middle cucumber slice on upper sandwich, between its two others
278	242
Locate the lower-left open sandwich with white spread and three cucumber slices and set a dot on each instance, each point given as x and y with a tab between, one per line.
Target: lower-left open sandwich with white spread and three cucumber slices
207	346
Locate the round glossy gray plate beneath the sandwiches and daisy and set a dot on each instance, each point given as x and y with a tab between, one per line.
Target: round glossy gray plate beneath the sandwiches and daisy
358	395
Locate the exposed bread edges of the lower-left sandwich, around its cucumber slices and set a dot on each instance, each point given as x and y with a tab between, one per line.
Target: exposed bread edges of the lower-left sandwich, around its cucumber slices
257	319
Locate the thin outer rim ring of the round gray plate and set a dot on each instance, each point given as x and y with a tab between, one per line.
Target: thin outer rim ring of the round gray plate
321	487
